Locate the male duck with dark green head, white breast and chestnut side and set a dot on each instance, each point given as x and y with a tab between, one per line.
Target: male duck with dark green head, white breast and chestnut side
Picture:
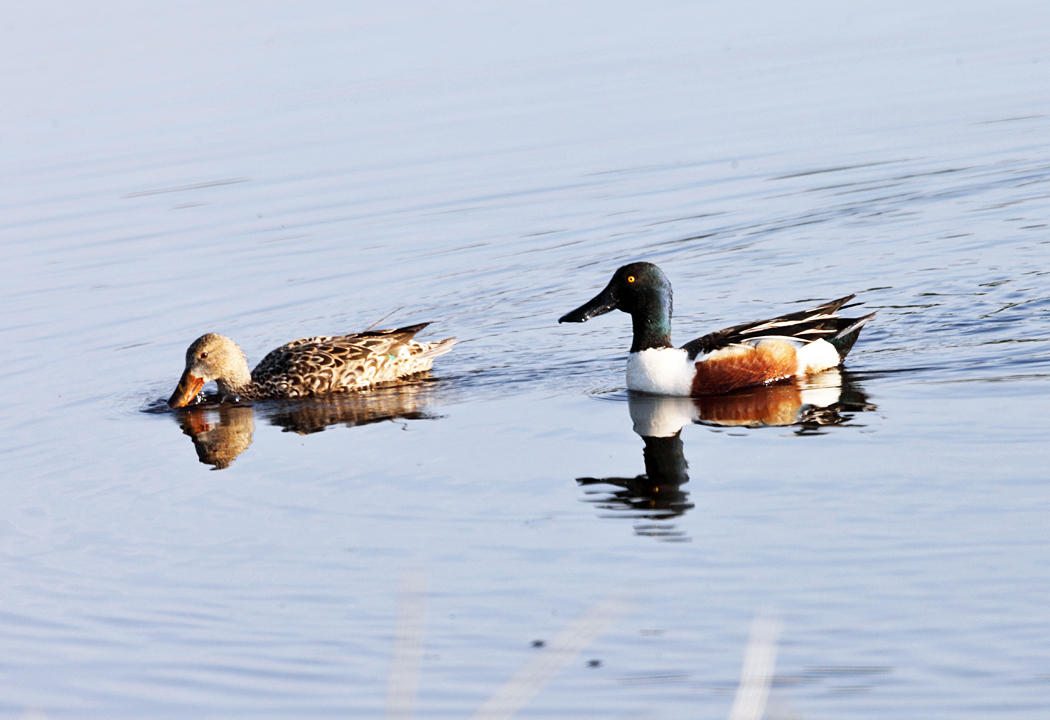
745	355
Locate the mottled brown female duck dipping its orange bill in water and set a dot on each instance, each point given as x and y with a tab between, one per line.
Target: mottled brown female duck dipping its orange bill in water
320	366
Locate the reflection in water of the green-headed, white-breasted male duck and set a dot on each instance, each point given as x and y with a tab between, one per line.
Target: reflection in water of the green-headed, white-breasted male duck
657	497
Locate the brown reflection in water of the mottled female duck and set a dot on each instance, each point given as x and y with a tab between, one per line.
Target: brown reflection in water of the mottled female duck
223	432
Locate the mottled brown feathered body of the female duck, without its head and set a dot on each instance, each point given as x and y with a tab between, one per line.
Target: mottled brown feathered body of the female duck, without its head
341	364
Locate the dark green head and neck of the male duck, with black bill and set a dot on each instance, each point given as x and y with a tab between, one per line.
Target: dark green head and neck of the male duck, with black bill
643	291
